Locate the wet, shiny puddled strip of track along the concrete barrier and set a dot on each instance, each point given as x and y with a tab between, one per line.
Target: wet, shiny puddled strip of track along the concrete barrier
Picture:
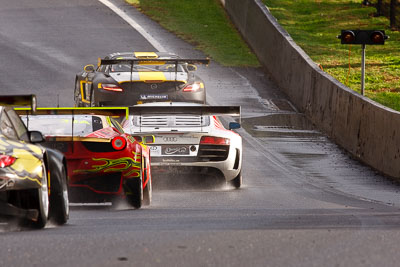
298	144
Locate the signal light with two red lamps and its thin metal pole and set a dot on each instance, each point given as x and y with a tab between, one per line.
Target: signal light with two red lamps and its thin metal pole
363	37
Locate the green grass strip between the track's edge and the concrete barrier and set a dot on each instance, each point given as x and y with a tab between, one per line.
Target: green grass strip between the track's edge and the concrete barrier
204	24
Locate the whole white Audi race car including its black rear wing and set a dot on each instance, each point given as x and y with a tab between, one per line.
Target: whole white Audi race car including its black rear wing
190	139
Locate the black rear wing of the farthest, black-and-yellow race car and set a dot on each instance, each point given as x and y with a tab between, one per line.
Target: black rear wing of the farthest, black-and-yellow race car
150	60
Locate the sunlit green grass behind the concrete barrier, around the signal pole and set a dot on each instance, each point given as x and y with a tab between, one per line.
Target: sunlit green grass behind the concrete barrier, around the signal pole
314	25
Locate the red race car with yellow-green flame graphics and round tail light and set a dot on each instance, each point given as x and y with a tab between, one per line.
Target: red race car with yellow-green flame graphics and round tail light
104	163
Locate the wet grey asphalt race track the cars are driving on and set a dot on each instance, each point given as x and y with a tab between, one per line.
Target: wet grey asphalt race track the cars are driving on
304	201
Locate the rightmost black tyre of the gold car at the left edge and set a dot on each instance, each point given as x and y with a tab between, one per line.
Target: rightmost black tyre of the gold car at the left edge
59	203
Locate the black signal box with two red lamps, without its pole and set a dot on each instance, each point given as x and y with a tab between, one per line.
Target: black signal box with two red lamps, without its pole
370	37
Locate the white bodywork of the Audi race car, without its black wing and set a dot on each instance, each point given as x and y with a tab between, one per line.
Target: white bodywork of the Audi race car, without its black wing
177	141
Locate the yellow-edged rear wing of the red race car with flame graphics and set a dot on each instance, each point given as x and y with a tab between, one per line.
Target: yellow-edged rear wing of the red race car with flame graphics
106	111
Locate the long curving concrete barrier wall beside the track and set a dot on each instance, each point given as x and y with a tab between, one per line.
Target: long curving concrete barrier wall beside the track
368	130
